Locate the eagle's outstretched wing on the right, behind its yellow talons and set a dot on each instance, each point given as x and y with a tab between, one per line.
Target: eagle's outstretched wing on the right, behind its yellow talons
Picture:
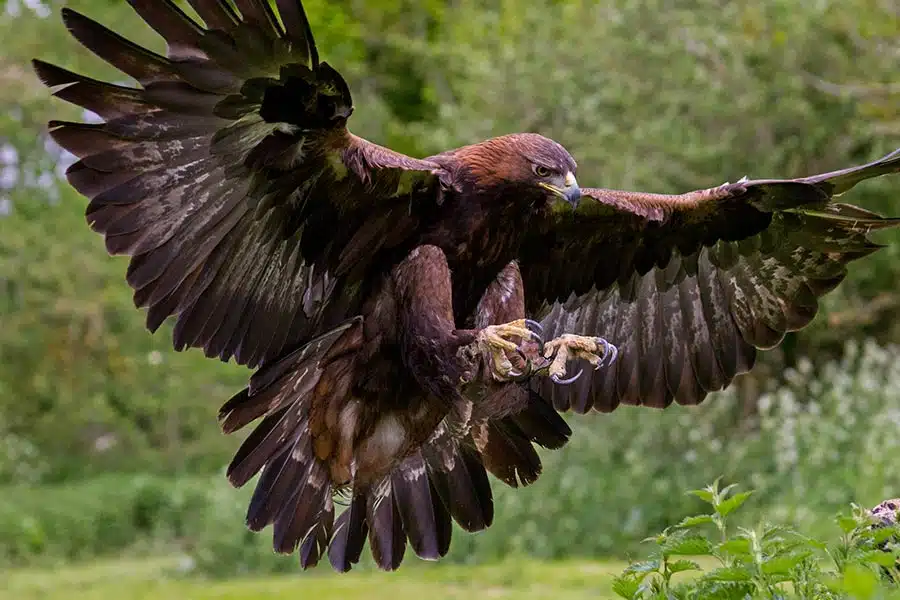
690	286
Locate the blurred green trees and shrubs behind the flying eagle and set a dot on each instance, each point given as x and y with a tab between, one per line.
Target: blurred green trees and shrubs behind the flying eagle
108	439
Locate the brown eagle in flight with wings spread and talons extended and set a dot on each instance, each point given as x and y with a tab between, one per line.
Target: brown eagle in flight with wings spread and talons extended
384	300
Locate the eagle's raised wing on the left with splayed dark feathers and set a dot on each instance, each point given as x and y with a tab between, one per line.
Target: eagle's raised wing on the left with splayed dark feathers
229	175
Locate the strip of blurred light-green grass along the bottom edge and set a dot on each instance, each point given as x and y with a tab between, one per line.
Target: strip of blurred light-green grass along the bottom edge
524	579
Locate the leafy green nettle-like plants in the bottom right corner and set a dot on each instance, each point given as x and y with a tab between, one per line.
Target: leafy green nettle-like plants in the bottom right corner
769	562
